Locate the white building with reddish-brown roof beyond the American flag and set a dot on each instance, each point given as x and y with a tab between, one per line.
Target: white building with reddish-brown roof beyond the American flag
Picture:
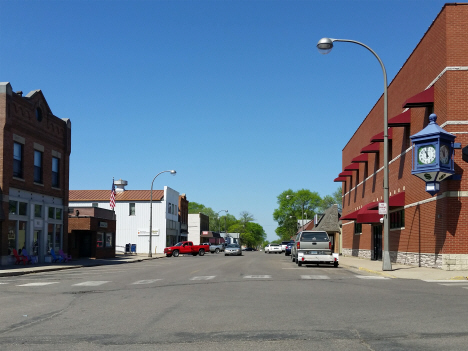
132	210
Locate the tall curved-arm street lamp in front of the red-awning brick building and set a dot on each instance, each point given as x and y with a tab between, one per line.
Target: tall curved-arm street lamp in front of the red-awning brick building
324	46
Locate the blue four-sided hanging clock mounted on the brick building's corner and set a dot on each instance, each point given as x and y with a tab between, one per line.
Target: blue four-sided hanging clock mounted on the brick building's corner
433	149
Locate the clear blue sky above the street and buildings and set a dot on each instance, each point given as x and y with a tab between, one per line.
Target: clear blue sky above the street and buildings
233	95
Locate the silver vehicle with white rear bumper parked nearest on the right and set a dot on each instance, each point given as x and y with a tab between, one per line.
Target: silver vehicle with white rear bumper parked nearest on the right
313	247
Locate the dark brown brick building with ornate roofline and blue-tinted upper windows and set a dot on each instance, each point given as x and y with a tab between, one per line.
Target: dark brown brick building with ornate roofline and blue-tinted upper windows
35	152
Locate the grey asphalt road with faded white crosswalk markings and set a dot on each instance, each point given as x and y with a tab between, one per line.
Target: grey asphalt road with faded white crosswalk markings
257	301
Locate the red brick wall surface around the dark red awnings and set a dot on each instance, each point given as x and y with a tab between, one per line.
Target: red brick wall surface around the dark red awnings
438	226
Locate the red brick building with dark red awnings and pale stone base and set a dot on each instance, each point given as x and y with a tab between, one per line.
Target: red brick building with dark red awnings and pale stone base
425	230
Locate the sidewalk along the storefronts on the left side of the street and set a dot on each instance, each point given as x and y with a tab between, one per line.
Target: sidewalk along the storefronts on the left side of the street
13	270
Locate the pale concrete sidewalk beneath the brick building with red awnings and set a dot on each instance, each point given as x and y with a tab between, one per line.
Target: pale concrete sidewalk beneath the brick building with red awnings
401	271
